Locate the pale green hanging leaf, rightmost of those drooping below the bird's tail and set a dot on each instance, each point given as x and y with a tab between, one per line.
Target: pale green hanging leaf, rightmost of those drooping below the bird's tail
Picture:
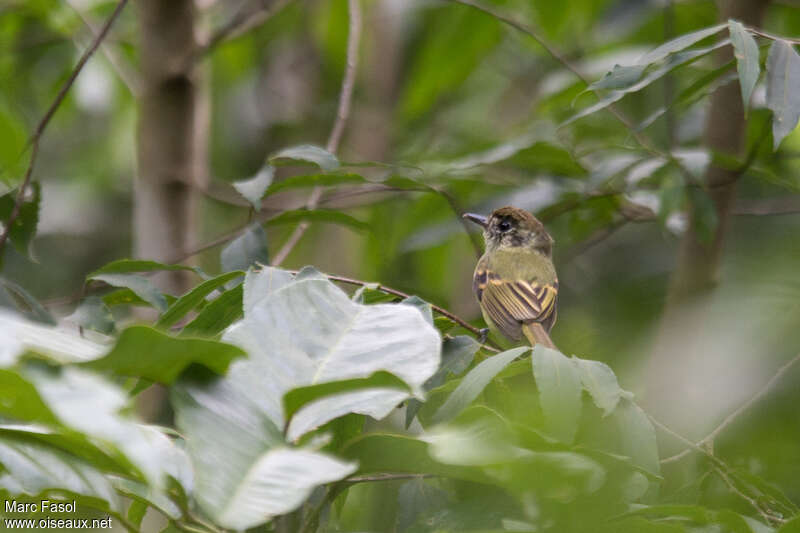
637	435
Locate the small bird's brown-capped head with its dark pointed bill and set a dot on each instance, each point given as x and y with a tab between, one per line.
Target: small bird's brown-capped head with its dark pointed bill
511	227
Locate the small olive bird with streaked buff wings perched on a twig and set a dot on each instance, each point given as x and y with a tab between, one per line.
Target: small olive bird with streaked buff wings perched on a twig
515	281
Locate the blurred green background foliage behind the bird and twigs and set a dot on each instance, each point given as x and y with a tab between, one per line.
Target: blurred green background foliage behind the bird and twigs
453	98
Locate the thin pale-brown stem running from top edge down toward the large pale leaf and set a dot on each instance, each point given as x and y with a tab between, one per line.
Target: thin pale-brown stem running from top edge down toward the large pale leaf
342	113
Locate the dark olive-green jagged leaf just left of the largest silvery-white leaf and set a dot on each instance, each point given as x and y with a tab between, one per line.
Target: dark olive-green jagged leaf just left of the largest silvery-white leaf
147	353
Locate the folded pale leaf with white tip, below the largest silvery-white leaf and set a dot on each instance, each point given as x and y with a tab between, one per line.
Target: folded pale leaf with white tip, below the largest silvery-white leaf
244	473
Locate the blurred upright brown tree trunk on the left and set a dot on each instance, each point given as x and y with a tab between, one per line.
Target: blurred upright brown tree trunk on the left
169	166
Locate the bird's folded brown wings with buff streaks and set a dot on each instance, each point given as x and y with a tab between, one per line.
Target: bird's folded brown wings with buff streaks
510	303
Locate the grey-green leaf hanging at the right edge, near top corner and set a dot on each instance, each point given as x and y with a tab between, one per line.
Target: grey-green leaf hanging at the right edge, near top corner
783	98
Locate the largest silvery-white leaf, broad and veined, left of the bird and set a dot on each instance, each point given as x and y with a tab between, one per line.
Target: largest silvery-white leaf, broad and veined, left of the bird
309	332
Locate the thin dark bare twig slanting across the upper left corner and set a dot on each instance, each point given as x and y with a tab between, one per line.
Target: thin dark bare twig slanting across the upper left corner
40	127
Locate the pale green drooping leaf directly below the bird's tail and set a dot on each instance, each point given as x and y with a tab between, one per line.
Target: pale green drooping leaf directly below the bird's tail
559	384
